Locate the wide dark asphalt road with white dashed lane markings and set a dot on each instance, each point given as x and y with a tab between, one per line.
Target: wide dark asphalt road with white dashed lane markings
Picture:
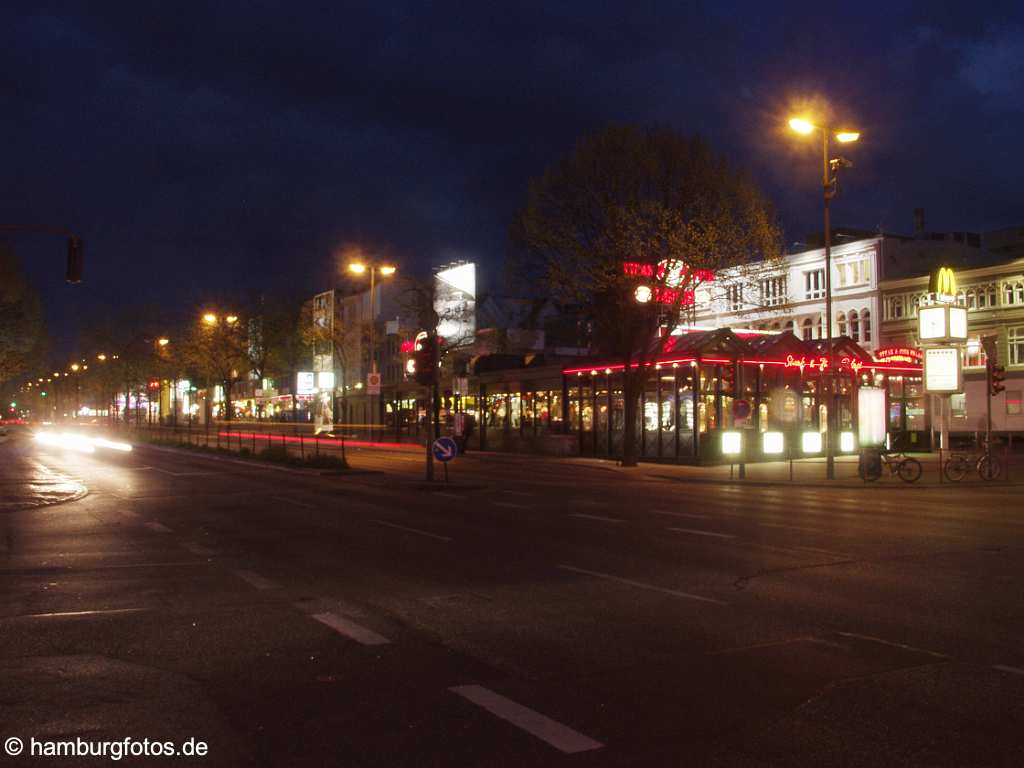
535	613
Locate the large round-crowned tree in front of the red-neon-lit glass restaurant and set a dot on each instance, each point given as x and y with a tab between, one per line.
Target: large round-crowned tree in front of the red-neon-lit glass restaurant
627	227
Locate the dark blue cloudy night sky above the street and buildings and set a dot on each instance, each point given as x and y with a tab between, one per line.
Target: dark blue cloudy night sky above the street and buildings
224	148
